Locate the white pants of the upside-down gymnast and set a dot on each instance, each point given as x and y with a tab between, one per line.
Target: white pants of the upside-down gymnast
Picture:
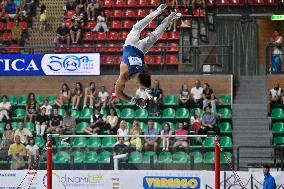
145	44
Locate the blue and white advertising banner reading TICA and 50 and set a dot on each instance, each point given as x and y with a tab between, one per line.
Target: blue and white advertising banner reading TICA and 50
49	64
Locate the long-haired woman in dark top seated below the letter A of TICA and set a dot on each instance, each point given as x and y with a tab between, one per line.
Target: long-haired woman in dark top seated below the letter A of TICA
32	108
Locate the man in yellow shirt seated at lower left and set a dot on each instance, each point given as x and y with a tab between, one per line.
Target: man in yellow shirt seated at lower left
17	153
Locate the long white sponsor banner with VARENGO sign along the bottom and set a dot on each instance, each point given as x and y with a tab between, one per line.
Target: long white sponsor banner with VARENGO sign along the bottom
130	179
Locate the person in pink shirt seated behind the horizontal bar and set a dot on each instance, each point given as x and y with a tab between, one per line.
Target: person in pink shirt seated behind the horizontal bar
181	140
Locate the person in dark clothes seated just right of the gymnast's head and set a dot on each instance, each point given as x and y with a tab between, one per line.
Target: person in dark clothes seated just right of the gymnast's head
156	103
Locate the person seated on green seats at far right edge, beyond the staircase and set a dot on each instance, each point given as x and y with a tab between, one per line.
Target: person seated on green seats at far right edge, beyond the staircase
275	96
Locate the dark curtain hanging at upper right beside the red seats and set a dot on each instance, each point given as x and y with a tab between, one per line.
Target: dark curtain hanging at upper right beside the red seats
242	35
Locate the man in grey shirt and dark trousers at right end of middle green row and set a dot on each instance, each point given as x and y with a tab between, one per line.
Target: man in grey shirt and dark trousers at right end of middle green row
209	122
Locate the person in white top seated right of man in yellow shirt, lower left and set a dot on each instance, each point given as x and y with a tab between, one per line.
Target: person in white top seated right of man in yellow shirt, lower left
32	153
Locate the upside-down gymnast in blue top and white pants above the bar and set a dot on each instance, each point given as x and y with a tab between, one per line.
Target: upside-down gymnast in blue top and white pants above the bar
134	50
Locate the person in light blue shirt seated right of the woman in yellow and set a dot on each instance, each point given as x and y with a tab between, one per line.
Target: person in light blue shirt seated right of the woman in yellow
151	140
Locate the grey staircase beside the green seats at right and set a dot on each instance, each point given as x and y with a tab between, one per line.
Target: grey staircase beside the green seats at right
251	124
